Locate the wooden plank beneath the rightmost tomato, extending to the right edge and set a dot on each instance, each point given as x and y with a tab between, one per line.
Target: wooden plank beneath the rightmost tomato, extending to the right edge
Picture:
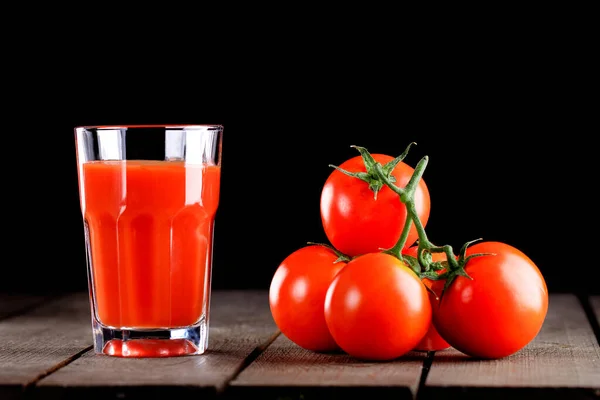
563	361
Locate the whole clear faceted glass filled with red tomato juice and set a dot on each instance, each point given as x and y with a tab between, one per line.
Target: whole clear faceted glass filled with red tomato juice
148	196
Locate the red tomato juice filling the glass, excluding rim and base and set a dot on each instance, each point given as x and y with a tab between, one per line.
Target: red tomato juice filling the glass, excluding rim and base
149	227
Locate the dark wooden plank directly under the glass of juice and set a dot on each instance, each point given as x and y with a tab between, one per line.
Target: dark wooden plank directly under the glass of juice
240	323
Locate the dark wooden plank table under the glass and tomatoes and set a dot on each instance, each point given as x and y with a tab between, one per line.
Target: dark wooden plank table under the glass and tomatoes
45	352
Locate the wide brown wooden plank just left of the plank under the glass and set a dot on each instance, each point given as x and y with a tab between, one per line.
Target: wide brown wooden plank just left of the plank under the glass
35	343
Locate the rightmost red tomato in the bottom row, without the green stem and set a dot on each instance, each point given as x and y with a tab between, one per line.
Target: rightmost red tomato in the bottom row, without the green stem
500	310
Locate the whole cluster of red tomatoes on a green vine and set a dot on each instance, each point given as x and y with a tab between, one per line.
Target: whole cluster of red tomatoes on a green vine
355	296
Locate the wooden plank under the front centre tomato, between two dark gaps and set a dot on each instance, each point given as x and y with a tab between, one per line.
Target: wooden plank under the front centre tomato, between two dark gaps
284	370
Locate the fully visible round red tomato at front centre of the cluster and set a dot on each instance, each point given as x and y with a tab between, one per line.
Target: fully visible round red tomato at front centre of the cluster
376	308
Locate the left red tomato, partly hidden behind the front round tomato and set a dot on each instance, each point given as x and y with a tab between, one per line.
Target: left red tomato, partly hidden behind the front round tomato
297	296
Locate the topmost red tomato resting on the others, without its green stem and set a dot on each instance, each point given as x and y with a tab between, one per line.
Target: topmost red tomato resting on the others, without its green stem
357	223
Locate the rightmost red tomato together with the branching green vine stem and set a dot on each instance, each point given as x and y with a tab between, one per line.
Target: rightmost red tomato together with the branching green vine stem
493	299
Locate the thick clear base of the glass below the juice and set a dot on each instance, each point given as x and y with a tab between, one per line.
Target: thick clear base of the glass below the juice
137	343
